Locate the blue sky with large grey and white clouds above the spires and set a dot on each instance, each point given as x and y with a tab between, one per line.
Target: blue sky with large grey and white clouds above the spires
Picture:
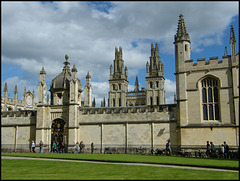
39	34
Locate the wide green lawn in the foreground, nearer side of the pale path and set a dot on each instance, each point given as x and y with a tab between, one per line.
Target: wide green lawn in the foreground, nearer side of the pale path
57	170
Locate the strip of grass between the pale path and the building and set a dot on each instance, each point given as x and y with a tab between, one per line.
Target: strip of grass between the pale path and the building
137	158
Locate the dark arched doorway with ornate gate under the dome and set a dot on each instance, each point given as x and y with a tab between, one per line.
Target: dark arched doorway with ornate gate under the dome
59	133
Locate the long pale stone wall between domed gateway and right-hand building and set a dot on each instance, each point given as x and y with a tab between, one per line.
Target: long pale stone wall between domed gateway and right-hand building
128	127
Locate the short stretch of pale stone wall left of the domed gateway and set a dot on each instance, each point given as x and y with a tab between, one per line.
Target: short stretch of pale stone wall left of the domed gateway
17	130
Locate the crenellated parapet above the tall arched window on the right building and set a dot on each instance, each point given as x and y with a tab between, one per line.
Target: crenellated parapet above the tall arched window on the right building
203	64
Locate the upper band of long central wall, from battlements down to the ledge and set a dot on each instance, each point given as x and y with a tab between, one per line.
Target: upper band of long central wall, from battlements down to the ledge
128	115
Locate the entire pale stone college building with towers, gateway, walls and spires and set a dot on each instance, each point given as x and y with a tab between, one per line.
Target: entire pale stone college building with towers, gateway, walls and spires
206	108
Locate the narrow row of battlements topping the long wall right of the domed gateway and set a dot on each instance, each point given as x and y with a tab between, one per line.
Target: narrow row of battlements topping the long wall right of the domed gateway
130	109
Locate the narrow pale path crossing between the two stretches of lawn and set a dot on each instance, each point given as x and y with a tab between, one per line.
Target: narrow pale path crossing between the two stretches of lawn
123	163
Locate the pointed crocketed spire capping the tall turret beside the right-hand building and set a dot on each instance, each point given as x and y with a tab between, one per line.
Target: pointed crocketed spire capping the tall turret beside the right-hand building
181	31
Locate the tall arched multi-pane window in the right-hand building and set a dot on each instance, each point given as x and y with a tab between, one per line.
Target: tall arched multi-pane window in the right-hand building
210	99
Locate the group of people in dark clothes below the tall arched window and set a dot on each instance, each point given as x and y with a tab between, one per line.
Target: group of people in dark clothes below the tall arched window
222	151
